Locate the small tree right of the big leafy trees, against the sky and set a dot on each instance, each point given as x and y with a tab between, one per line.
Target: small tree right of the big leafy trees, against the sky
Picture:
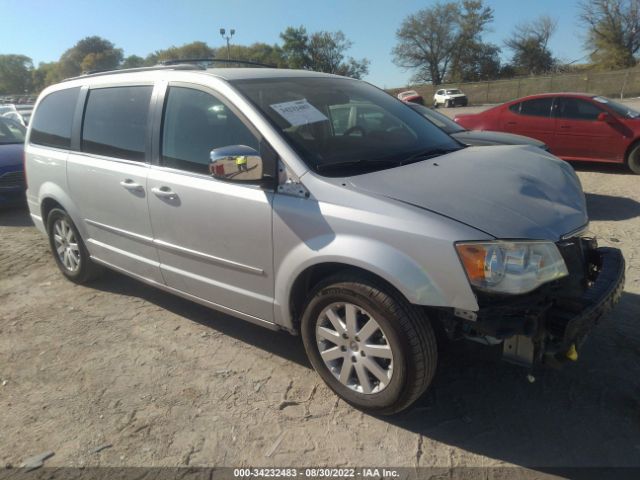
529	44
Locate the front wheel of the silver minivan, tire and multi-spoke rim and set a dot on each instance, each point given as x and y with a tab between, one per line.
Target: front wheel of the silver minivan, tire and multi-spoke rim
402	351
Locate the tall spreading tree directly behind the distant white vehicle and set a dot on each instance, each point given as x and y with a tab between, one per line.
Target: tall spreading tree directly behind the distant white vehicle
426	42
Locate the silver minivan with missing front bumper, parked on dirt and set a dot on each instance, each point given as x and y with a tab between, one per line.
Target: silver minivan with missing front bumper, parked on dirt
262	193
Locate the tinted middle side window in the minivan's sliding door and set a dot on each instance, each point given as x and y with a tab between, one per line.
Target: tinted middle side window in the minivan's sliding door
115	122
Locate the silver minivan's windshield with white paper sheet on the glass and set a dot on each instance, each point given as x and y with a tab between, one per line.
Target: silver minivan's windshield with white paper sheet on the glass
344	123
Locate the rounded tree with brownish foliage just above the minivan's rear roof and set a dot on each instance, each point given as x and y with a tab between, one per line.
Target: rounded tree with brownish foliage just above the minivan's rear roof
90	53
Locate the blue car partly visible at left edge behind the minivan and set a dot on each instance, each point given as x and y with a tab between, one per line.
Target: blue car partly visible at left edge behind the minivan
12	180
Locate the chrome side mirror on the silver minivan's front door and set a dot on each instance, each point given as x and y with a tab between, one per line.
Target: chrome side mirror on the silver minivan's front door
236	163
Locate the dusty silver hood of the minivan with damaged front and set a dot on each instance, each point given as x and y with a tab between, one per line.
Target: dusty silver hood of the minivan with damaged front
509	192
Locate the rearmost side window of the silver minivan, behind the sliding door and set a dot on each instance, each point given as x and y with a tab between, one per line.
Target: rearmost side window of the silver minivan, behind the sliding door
51	125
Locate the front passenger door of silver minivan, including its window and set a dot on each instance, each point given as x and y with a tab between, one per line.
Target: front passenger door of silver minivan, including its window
213	237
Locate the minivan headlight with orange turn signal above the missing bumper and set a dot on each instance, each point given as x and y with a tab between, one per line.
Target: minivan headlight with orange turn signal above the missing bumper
511	267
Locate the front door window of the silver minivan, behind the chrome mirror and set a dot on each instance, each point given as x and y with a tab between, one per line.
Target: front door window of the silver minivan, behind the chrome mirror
196	122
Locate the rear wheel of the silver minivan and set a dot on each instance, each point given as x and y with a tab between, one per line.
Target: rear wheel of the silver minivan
68	249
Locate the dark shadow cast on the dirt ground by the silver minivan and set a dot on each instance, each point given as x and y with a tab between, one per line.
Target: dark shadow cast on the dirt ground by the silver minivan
586	414
